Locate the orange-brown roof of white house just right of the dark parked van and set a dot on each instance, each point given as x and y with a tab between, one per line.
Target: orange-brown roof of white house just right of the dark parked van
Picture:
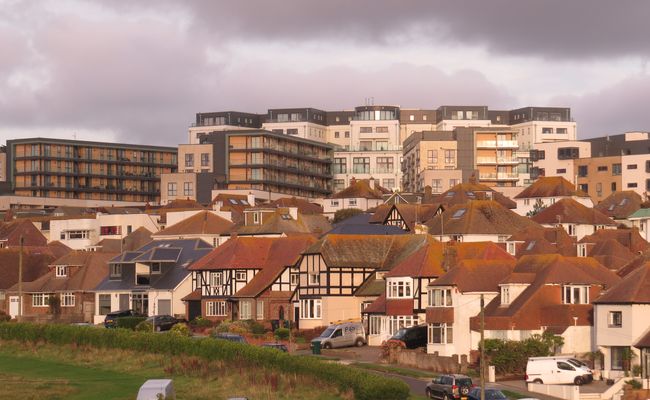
477	275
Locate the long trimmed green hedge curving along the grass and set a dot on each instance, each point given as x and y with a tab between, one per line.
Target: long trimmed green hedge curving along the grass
365	385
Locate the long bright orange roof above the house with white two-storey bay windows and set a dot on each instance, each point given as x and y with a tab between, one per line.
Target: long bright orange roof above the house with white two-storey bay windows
434	259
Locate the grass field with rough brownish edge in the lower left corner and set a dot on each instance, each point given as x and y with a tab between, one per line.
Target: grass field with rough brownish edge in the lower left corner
70	372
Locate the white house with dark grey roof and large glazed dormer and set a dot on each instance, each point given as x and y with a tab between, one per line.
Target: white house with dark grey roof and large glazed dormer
152	280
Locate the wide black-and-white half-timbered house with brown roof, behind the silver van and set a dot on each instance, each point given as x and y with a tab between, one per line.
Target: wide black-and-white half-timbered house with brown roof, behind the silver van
341	274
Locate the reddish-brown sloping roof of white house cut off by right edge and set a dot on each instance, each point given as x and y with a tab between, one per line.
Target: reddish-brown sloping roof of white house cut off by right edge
633	289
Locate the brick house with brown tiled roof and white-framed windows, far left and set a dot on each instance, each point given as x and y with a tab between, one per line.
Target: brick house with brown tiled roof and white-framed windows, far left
72	279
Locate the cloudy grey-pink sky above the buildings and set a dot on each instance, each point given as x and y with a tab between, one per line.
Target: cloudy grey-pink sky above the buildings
138	72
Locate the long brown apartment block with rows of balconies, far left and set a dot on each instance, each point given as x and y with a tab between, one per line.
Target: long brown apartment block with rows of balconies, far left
73	169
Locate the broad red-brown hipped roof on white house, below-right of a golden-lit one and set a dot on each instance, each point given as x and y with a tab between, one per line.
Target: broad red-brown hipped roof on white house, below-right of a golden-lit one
570	211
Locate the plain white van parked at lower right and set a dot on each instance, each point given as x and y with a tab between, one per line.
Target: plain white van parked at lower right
557	370
